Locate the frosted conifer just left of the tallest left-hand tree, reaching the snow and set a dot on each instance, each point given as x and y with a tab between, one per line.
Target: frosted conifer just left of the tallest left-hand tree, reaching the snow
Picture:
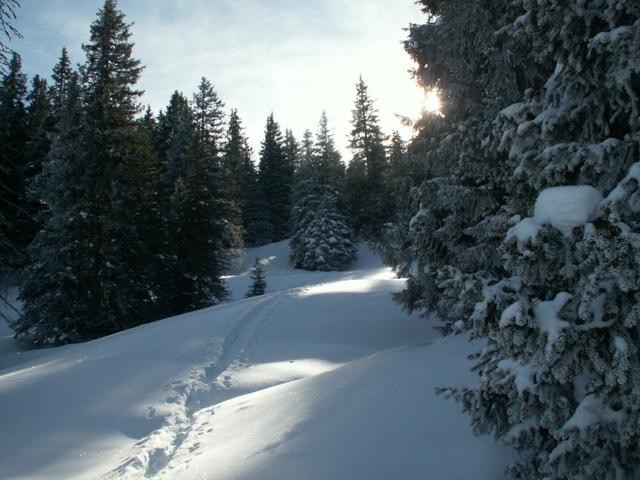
59	288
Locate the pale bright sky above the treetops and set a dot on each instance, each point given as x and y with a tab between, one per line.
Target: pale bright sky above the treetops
293	57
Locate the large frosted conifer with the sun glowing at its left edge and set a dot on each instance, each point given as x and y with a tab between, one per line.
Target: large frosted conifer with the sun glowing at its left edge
446	233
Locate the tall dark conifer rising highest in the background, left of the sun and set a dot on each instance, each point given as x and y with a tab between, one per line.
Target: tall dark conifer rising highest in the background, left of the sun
367	192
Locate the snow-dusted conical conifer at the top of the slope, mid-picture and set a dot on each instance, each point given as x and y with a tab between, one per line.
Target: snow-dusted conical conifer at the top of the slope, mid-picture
321	236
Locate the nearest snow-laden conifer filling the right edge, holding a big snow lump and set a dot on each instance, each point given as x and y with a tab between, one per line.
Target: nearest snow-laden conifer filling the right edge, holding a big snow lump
559	377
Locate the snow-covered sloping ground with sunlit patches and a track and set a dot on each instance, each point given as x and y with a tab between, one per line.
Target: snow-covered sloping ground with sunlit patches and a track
324	377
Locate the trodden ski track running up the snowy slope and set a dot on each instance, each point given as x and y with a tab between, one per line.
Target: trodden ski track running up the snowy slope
155	451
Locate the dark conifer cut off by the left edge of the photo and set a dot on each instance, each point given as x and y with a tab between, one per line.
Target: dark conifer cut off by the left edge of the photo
13	137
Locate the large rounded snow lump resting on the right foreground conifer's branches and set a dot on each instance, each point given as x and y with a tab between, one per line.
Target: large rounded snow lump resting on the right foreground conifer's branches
564	208
